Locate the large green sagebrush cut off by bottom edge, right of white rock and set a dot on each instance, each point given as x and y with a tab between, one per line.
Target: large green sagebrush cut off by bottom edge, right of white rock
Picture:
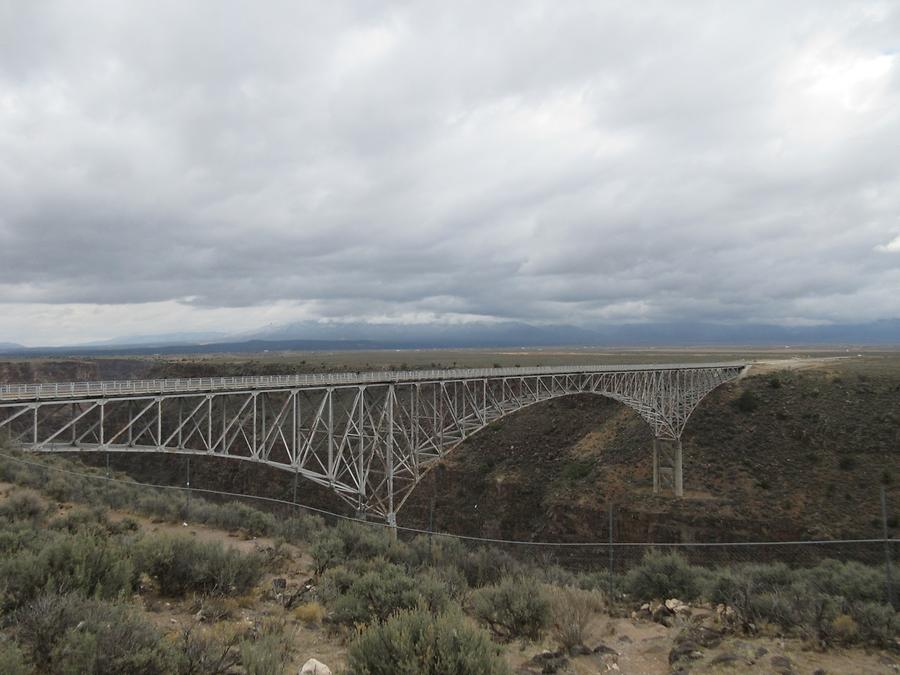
419	643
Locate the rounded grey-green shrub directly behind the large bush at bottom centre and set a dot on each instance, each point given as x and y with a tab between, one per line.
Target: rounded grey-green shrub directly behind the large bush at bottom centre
375	595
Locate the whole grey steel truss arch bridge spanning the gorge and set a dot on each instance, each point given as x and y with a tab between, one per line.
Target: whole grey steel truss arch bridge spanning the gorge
368	436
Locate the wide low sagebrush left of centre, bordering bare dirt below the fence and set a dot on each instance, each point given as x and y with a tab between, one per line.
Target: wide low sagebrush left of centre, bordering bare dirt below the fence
181	565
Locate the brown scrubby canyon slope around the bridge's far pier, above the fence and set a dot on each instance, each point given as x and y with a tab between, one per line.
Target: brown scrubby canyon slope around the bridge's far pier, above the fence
783	455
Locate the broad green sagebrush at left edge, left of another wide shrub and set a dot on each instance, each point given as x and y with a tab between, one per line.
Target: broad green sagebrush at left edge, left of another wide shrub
86	564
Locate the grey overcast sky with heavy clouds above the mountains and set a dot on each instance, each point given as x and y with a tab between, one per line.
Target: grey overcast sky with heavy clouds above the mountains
176	166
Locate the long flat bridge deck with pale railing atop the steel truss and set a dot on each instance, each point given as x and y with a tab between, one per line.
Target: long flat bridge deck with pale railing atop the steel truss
13	393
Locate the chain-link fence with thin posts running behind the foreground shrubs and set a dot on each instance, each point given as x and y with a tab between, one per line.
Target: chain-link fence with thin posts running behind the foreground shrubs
861	569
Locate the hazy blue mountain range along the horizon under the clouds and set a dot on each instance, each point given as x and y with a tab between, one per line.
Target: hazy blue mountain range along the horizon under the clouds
338	336
